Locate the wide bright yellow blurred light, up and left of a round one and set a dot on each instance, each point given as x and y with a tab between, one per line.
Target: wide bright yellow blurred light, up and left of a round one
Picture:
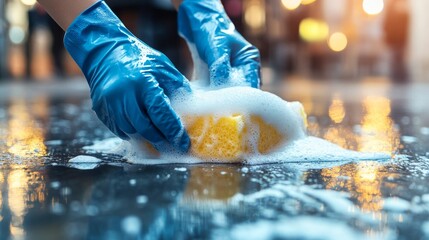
313	30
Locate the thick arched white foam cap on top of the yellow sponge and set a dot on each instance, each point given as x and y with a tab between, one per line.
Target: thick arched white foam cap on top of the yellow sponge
245	101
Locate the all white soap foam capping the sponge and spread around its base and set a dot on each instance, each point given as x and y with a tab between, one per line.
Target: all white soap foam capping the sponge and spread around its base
284	116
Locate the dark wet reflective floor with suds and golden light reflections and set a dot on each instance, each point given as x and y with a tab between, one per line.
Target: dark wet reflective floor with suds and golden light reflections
44	196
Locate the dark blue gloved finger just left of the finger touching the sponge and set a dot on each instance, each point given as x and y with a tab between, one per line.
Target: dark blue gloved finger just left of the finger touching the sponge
141	122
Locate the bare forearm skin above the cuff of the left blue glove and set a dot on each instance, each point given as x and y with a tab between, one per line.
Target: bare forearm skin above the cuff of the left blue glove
65	11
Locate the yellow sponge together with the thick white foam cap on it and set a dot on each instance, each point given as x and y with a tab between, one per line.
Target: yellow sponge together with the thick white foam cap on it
233	123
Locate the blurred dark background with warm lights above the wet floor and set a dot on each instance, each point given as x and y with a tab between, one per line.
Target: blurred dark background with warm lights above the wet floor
313	39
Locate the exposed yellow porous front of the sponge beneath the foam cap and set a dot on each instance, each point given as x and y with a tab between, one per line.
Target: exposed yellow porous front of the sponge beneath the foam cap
228	138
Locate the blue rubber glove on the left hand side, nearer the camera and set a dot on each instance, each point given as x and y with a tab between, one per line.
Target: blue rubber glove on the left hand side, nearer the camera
129	81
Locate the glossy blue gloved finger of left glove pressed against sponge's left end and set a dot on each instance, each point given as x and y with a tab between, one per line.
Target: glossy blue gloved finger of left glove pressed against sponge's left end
165	119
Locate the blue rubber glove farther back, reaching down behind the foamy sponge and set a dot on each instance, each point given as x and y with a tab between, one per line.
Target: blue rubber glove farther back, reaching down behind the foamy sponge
219	45
